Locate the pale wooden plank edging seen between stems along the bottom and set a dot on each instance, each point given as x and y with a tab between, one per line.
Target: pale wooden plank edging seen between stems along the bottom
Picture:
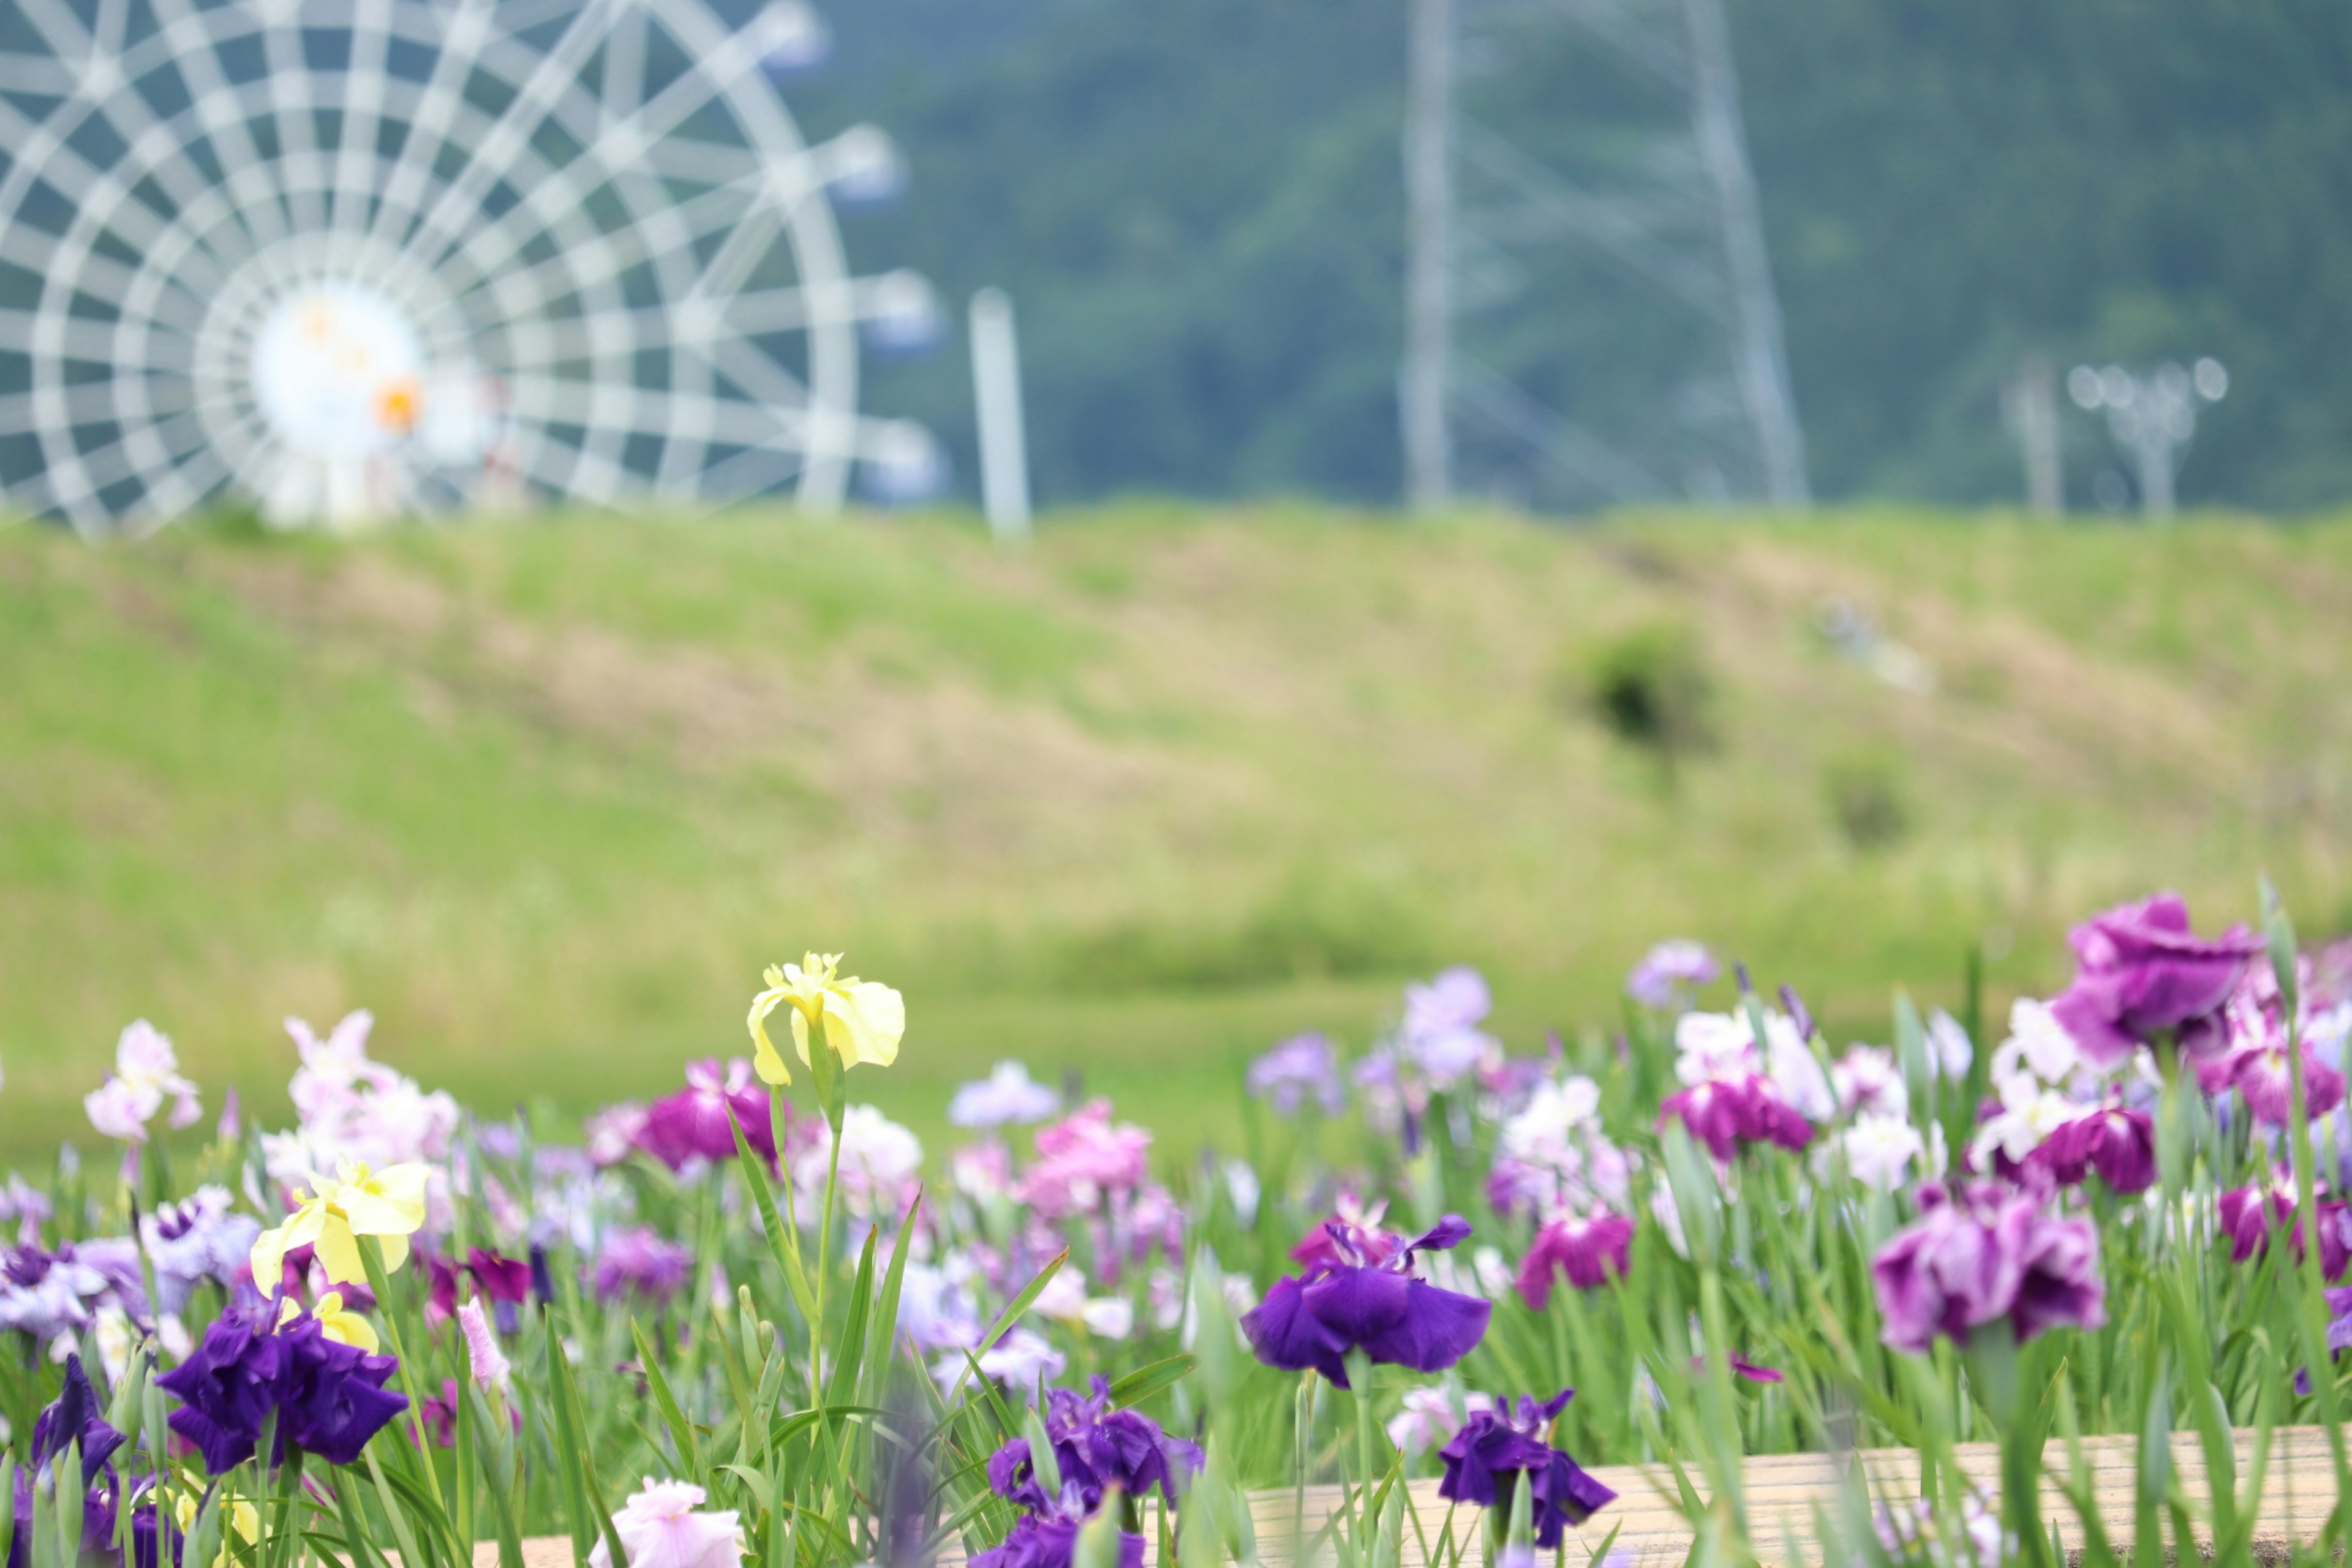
1784	1492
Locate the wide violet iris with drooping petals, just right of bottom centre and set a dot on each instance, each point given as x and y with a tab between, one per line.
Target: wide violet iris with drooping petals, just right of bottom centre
1379	1308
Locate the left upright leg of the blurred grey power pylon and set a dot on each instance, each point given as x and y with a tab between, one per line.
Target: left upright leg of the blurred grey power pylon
1429	257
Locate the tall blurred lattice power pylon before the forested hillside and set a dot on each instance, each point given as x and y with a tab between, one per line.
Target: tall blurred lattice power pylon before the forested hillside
1591	314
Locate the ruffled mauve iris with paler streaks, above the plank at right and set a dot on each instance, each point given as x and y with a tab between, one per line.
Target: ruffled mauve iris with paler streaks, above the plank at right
1982	1257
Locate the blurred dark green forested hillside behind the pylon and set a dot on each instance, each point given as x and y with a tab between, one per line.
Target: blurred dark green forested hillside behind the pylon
1198	208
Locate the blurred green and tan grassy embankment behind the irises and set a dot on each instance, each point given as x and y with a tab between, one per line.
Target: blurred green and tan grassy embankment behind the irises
1130	805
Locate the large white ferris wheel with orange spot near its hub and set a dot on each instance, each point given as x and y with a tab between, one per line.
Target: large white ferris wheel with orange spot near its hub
345	260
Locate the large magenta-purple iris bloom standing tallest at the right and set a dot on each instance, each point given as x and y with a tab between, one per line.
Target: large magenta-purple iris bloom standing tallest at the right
2144	972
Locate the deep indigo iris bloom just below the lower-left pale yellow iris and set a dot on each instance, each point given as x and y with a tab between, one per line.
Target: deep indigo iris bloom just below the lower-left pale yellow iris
328	1398
